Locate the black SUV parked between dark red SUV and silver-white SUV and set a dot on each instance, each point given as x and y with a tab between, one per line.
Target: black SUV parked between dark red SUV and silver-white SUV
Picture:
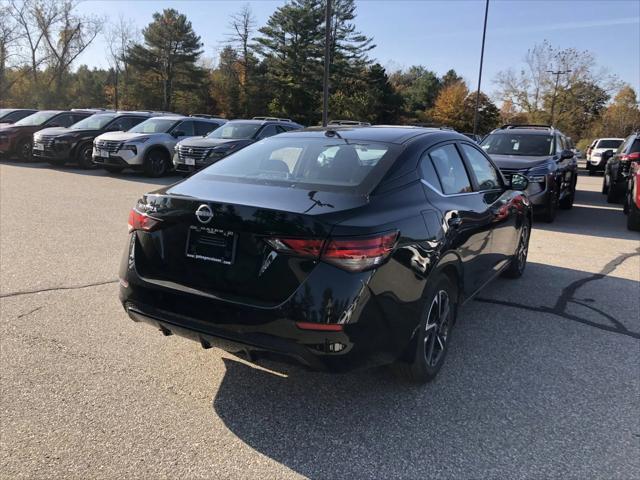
59	145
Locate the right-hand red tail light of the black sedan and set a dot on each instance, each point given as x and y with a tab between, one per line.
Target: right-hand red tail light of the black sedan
352	254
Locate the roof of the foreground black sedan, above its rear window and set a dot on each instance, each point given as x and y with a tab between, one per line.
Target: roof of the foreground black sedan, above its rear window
379	133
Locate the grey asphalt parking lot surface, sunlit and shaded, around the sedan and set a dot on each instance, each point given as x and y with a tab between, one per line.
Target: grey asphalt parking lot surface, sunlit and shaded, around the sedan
542	380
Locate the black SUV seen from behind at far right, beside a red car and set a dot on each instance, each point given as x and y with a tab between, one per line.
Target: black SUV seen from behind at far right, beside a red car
618	168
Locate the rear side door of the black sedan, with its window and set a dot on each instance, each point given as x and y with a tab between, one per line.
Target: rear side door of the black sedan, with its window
468	219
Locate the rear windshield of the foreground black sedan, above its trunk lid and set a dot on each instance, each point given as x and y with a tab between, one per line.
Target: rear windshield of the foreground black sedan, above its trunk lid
322	163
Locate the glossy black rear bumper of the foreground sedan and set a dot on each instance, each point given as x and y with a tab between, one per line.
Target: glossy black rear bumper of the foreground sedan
368	337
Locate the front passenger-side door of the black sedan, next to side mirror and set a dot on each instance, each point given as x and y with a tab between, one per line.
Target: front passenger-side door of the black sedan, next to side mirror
488	182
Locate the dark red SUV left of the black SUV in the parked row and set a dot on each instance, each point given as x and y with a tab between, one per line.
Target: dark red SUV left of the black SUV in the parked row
16	140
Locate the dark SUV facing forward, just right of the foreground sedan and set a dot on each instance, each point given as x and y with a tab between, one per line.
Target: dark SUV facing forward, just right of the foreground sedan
541	153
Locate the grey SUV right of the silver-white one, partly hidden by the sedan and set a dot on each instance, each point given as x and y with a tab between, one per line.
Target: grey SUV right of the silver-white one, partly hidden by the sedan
193	154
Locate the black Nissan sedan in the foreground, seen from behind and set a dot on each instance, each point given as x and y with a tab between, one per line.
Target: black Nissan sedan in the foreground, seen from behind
340	247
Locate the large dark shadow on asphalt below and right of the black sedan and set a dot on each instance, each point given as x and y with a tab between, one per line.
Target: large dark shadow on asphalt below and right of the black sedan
517	375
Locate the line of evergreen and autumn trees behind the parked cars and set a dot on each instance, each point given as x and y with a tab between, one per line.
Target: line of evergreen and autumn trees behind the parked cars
276	69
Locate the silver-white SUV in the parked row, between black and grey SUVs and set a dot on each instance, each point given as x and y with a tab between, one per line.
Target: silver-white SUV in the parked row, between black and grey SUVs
148	145
